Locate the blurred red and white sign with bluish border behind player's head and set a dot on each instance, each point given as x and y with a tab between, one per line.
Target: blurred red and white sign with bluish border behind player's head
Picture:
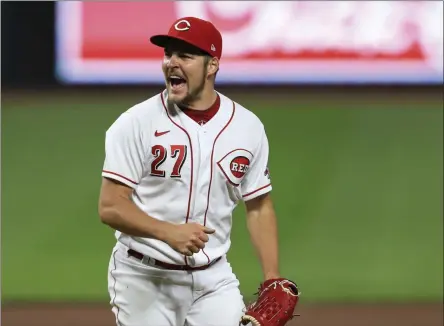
264	41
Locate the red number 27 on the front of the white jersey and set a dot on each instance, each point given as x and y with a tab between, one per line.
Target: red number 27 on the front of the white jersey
177	152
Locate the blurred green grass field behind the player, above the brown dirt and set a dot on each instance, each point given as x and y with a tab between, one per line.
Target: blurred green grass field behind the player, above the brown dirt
357	189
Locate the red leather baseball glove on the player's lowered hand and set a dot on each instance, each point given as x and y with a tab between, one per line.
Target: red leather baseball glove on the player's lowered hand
275	304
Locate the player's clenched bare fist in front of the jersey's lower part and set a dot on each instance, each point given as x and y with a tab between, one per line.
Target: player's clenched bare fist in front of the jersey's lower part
189	238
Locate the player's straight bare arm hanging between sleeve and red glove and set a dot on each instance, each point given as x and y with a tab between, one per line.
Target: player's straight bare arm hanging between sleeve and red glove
262	226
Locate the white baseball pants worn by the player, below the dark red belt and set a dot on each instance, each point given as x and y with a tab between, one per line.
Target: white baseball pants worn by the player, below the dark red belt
144	295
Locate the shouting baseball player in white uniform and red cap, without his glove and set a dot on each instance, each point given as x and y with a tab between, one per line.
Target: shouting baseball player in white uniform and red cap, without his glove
176	165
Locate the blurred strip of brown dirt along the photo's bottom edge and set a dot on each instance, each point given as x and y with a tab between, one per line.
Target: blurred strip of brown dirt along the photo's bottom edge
311	315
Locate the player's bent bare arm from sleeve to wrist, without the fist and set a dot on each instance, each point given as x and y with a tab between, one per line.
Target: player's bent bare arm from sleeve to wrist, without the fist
117	210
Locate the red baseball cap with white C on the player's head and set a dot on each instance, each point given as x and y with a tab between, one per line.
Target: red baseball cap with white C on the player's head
195	31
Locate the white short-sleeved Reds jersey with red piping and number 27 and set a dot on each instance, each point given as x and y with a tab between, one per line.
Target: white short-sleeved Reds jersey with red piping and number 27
185	172
